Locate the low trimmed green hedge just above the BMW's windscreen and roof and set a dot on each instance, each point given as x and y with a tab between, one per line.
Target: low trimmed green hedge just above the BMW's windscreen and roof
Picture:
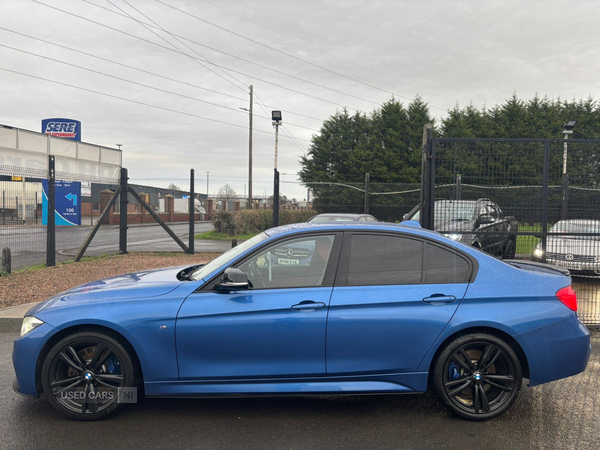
249	221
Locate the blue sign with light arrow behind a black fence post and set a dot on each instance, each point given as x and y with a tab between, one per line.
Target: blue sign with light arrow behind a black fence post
67	203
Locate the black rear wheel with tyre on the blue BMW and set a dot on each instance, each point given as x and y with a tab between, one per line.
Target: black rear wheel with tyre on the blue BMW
477	377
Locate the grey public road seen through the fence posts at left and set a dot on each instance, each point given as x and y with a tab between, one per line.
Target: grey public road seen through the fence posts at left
28	243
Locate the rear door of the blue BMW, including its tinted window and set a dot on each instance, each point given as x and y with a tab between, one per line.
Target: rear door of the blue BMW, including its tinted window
394	295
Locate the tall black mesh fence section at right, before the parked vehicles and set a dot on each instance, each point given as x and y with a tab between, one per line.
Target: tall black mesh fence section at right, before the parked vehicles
534	199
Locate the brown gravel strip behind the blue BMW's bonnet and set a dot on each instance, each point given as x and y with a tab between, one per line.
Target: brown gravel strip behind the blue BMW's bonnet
37	285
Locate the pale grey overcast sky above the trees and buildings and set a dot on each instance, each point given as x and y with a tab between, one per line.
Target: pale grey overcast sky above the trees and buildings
308	58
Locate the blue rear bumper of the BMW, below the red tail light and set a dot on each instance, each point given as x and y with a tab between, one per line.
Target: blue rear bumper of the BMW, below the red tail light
559	350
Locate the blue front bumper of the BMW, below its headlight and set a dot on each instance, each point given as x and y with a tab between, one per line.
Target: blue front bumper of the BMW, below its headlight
26	352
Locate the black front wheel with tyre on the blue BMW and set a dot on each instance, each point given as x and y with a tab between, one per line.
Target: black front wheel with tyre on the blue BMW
84	374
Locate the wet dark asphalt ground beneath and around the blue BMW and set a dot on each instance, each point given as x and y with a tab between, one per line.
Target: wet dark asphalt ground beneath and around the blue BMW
561	415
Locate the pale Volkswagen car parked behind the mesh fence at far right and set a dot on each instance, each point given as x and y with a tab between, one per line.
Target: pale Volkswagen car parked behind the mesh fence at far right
574	252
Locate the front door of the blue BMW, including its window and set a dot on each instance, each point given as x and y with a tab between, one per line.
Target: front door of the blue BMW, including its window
276	328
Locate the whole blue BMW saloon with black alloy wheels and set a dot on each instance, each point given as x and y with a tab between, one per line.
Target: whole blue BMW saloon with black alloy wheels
317	309
